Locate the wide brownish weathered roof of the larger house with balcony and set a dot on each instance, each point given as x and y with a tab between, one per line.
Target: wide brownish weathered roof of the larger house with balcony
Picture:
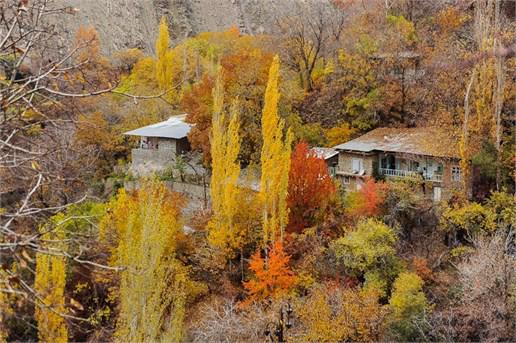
429	141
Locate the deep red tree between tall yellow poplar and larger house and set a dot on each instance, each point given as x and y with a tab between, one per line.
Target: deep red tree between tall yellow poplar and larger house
309	187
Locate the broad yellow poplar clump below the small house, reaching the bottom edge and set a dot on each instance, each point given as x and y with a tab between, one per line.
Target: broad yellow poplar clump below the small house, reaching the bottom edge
154	284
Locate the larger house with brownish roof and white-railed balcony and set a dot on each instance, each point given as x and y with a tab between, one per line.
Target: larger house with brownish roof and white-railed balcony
429	155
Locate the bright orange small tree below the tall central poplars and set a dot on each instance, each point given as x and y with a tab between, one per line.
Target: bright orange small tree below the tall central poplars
272	276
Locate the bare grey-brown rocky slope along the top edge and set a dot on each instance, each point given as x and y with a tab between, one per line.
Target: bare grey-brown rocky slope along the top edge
133	23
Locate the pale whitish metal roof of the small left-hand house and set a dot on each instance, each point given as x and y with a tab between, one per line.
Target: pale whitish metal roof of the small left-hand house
174	127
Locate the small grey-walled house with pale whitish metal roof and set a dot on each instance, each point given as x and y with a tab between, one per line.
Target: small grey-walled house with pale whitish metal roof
160	145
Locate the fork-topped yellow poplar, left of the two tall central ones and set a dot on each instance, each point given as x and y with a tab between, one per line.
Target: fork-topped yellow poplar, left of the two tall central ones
225	146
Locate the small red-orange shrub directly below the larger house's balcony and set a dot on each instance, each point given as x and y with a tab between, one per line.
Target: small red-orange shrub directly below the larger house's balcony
368	200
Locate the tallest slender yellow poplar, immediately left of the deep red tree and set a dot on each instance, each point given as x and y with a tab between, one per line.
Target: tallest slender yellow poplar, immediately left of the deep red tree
275	162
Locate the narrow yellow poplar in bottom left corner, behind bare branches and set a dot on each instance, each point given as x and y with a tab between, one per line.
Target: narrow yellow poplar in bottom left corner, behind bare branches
50	282
